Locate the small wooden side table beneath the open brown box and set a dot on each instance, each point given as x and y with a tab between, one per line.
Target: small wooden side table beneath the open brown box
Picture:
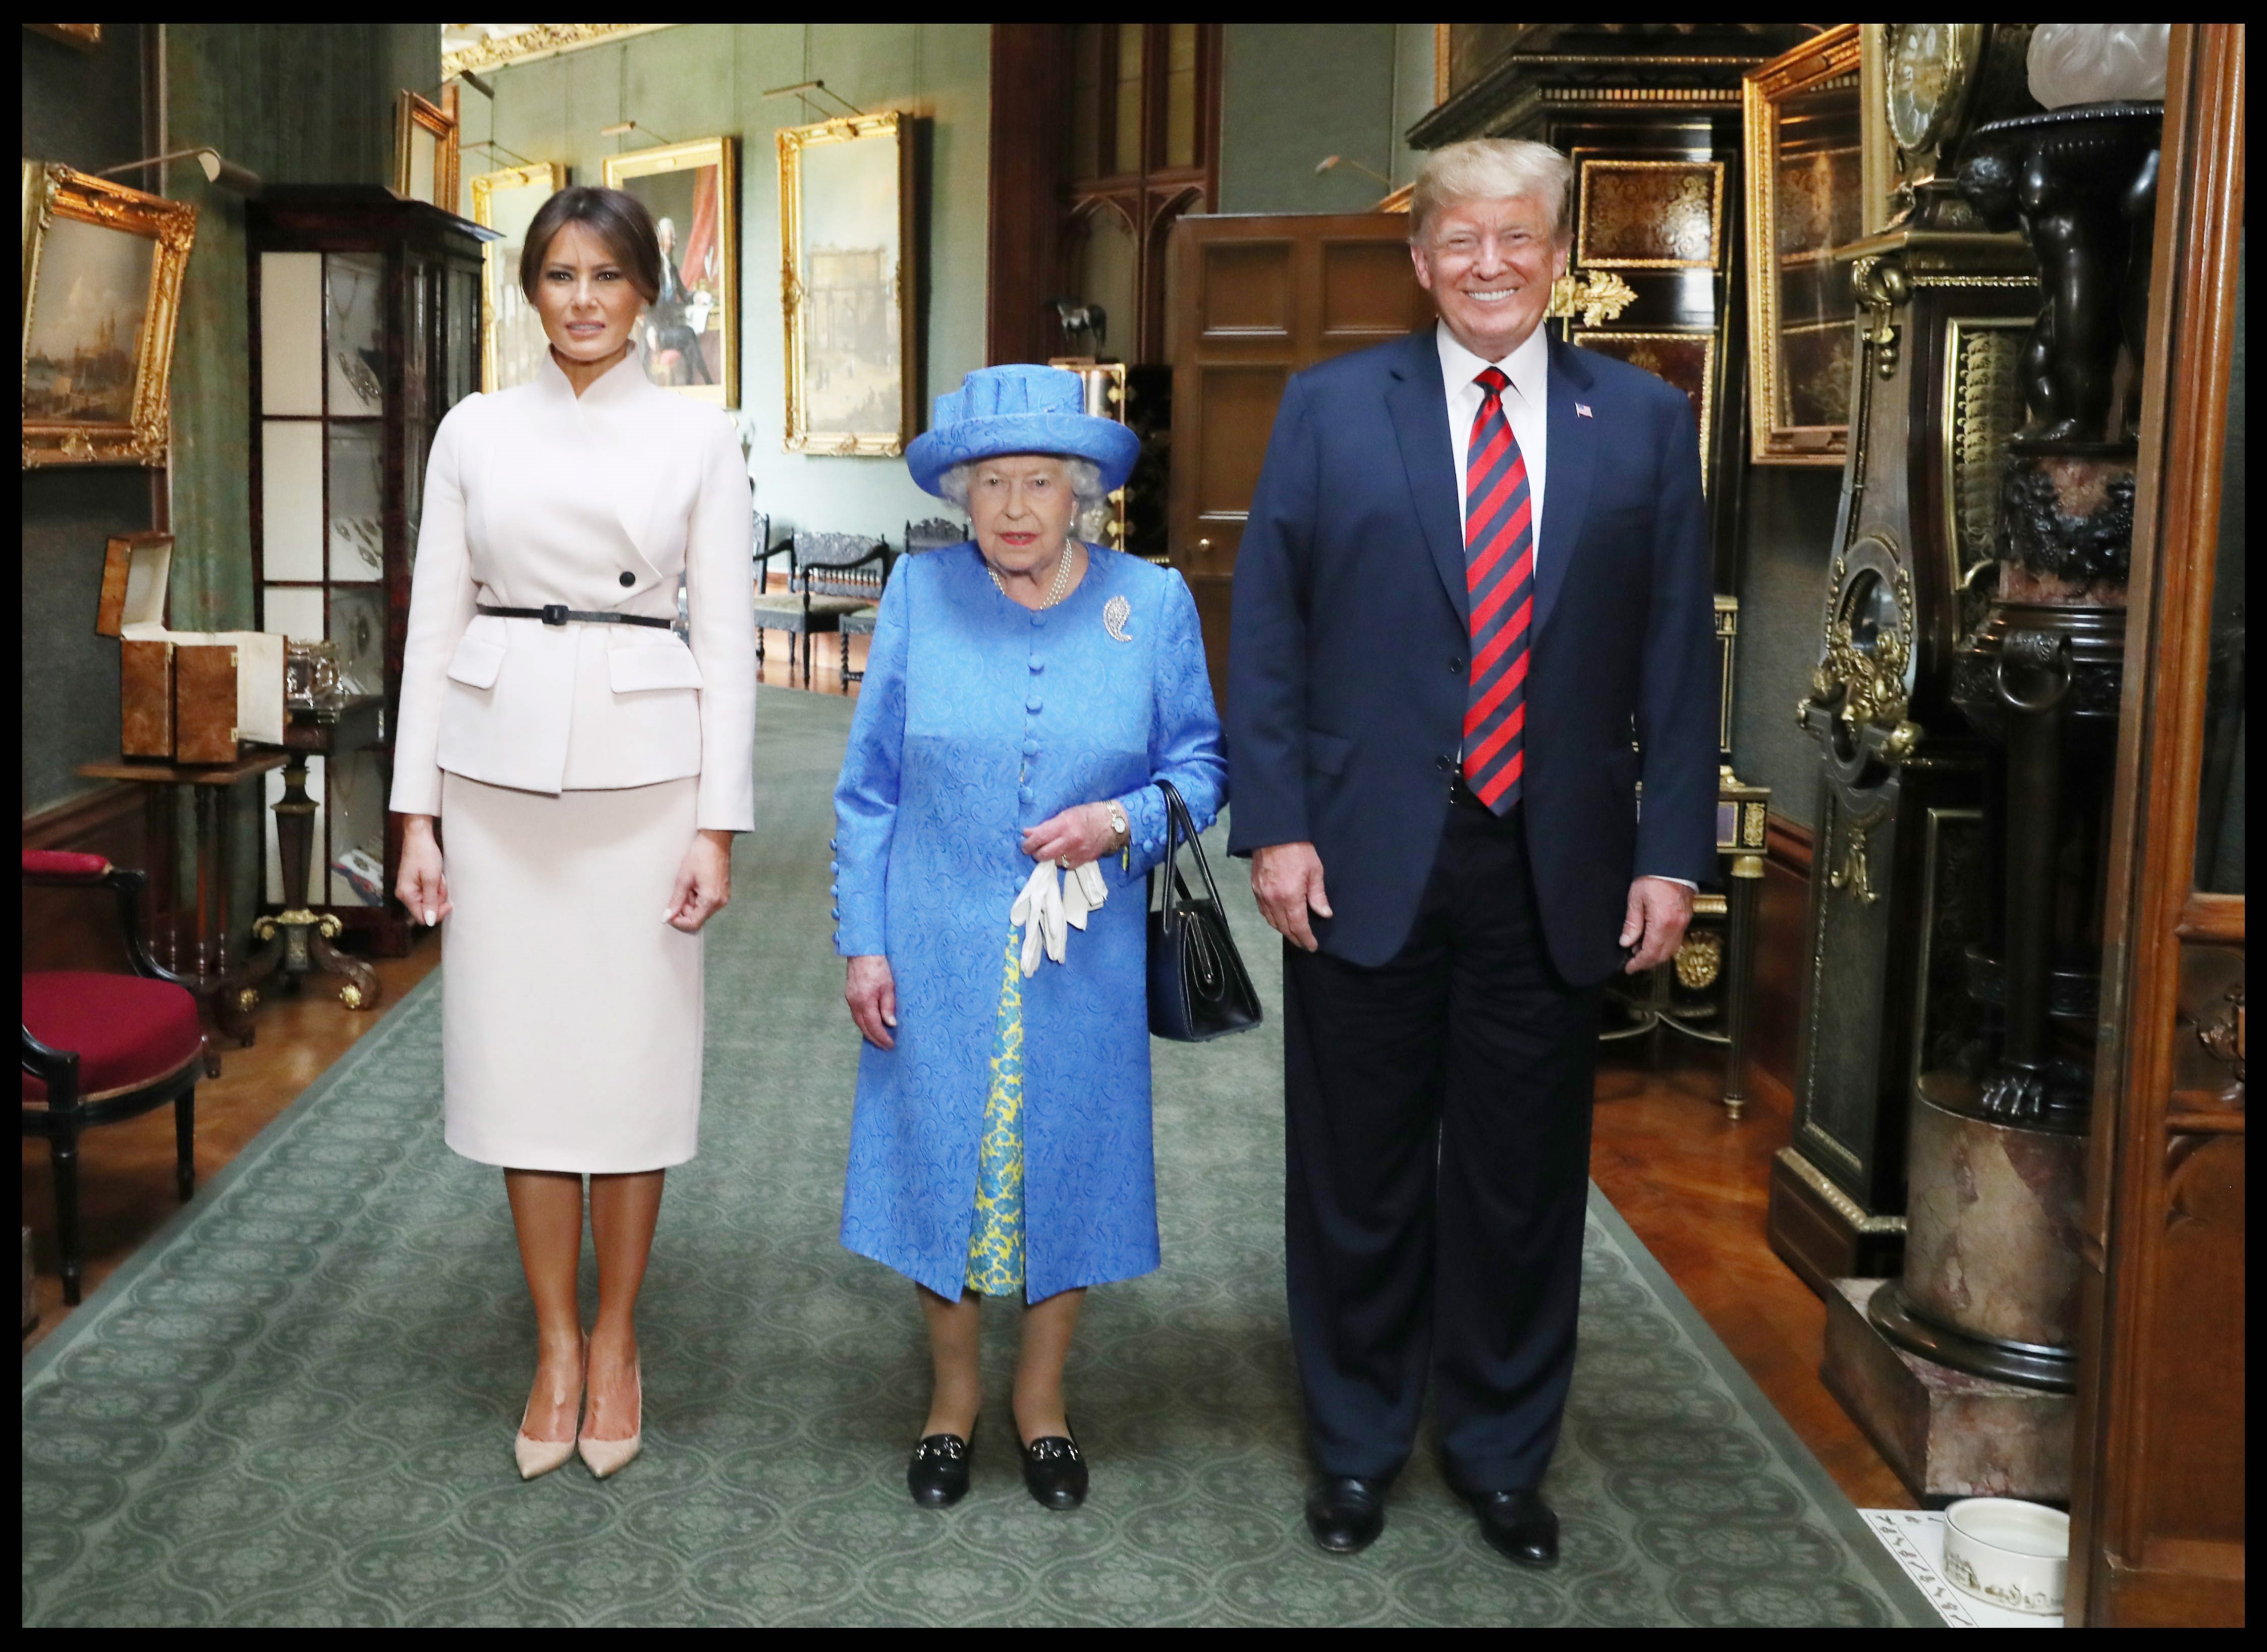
228	996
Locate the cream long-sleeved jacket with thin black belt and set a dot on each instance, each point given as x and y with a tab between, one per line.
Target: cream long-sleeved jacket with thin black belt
593	502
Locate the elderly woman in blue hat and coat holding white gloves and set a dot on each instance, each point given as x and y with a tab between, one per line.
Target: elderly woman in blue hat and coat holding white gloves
996	819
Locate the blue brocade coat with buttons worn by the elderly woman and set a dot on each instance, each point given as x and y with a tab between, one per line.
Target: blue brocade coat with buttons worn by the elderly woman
980	719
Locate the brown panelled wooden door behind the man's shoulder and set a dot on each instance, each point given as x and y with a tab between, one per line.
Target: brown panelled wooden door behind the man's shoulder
1259	300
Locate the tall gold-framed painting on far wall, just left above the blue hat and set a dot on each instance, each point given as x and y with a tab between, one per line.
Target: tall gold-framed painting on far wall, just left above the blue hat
847	216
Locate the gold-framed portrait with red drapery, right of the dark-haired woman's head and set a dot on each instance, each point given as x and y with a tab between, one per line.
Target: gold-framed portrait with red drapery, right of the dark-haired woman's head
690	334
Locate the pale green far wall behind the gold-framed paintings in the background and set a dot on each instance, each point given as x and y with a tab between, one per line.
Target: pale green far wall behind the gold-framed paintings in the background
706	80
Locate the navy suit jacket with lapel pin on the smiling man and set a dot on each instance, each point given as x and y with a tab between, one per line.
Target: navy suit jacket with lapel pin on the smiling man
1348	661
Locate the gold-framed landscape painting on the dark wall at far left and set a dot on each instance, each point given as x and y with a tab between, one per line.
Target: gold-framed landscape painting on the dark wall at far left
99	371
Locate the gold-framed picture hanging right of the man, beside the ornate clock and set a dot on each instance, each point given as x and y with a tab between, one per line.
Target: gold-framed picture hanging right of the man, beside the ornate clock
1806	201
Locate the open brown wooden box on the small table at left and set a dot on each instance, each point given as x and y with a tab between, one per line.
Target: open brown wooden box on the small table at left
185	697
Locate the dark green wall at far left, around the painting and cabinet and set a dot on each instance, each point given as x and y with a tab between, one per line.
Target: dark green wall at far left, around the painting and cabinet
294	103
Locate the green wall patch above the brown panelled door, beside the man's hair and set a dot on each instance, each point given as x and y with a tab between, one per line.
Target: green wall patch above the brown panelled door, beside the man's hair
1296	92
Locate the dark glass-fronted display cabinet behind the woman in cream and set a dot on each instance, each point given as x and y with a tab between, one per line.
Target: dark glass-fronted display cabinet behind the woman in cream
366	330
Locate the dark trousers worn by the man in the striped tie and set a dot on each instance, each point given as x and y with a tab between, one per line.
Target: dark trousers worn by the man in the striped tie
1438	1164
